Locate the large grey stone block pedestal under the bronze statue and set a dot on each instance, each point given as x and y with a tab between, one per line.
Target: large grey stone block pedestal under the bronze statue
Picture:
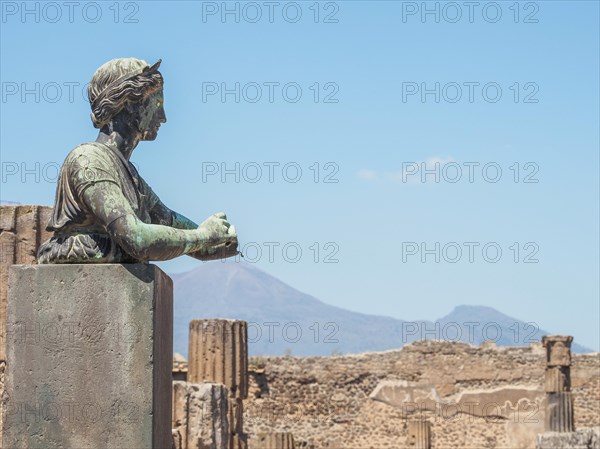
89	357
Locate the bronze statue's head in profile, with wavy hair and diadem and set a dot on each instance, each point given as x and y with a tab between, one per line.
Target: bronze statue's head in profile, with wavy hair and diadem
130	90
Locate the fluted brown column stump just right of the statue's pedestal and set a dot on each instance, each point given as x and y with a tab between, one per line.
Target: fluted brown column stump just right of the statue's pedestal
218	352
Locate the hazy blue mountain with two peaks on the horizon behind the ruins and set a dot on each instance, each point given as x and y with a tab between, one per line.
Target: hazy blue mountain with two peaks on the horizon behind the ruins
284	320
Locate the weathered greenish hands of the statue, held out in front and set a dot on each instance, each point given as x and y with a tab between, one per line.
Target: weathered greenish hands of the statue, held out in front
220	237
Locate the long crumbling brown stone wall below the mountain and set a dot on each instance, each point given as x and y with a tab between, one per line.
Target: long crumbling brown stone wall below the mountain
474	397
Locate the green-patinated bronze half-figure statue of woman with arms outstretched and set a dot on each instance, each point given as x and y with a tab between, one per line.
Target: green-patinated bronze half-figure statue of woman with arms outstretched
104	211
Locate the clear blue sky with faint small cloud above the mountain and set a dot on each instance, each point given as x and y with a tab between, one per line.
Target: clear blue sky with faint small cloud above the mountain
346	106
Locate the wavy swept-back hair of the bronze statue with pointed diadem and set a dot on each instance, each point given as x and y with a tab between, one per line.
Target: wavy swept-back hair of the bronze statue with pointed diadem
118	82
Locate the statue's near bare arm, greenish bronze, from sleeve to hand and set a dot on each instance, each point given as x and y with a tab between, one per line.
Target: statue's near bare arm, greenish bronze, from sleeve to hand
153	241
